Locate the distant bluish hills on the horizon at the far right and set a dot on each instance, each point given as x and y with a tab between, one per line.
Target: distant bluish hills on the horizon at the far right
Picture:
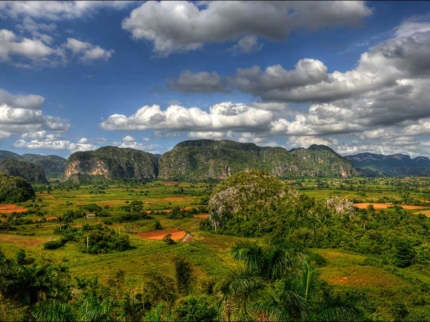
395	165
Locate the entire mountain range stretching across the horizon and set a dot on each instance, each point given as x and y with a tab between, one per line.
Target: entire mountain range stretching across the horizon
198	160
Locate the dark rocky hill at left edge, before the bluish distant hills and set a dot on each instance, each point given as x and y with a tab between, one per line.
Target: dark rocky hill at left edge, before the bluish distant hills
31	172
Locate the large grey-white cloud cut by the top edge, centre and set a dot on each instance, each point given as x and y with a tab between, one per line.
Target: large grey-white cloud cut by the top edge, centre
184	26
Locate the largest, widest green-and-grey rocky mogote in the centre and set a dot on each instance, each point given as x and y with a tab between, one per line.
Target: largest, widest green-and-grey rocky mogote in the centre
209	159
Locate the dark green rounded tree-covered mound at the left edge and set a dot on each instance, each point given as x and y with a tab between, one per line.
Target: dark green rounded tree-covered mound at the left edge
14	189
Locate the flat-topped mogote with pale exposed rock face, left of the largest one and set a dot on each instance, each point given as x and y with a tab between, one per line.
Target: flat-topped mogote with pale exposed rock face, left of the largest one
111	163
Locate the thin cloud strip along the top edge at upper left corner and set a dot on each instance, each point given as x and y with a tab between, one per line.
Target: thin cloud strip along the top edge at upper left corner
56	10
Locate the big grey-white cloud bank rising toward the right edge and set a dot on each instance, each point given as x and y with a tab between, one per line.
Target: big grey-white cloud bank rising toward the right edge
390	63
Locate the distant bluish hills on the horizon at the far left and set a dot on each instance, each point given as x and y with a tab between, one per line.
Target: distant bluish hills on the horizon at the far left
53	165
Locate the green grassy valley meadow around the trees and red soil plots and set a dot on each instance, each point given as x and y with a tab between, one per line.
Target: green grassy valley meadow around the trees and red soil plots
209	254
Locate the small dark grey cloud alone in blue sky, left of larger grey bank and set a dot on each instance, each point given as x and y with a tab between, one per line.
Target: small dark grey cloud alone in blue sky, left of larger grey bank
203	82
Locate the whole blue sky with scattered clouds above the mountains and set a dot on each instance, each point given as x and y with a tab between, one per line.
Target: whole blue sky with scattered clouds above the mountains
78	75
